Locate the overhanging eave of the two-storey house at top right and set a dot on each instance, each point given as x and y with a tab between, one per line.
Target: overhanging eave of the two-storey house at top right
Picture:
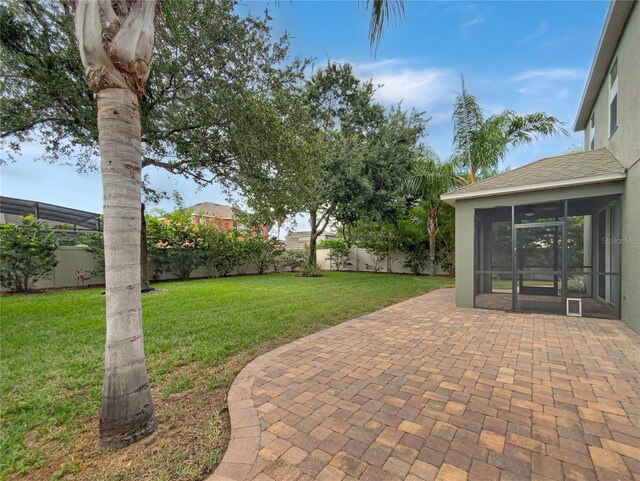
619	12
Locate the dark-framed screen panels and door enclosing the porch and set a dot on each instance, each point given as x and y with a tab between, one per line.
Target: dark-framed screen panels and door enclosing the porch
544	257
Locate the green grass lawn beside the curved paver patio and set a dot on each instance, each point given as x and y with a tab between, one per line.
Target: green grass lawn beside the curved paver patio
51	344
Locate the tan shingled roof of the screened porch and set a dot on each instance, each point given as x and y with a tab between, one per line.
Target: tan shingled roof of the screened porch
592	166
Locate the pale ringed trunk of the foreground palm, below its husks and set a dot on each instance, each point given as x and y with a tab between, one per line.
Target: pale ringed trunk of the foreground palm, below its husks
127	409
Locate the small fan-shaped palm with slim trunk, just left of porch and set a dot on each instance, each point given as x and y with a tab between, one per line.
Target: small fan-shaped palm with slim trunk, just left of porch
429	179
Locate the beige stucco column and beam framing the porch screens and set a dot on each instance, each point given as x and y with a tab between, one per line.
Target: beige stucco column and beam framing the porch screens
465	213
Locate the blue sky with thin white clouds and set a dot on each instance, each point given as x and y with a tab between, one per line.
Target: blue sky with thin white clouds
525	56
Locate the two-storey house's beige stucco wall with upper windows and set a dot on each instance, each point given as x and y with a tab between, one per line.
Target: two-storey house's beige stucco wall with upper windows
624	144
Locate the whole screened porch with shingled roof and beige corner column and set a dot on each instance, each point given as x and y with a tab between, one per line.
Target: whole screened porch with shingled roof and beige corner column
543	238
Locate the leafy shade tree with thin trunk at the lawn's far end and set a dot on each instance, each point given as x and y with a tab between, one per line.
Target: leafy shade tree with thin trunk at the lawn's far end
357	154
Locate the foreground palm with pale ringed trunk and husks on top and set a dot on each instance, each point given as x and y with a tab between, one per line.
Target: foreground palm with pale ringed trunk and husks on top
116	40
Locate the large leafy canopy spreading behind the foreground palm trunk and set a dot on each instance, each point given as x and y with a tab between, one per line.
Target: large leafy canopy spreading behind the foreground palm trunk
218	105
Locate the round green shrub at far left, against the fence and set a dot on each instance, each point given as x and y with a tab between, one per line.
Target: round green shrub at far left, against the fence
27	253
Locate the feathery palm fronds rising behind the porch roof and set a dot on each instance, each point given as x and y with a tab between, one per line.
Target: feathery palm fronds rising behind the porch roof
481	143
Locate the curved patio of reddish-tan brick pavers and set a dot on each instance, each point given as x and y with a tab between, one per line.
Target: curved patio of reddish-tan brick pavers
423	390
